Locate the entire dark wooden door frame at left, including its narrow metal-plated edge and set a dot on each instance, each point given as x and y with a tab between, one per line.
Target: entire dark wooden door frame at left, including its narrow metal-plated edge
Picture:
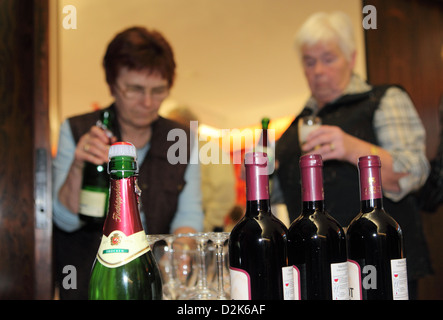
23	91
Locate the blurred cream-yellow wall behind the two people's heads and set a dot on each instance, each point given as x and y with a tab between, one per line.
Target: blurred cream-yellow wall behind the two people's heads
236	61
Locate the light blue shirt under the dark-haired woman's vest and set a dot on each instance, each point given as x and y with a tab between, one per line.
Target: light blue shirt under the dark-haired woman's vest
189	211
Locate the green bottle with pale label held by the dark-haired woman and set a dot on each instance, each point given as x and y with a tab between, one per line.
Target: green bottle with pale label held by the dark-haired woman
94	195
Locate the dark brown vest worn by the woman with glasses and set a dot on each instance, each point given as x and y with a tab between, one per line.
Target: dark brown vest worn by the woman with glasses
160	181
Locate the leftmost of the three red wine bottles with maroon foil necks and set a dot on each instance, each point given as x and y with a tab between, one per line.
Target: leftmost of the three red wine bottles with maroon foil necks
258	243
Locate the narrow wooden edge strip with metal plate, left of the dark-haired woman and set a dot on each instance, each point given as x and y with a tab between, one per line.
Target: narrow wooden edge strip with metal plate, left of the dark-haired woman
42	156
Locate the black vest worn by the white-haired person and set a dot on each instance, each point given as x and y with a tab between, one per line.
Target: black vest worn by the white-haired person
354	114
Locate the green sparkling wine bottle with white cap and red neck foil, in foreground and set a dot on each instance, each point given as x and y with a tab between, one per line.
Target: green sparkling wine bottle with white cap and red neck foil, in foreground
125	267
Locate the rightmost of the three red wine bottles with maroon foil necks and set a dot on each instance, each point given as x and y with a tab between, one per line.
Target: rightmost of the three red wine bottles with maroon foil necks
377	264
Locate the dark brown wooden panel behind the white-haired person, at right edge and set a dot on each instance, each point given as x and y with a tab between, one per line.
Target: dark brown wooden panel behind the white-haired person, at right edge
407	48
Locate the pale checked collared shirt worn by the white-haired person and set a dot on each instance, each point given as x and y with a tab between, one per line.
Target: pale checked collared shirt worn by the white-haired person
399	130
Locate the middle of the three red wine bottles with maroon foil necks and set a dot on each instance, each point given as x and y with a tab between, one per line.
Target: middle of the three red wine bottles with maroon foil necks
317	242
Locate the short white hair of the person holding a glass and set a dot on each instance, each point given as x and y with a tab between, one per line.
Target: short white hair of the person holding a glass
324	27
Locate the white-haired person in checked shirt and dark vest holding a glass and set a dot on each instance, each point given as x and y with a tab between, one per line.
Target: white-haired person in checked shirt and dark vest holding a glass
357	119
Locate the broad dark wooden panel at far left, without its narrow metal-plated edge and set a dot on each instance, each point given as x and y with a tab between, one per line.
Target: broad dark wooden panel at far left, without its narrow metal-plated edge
16	152
